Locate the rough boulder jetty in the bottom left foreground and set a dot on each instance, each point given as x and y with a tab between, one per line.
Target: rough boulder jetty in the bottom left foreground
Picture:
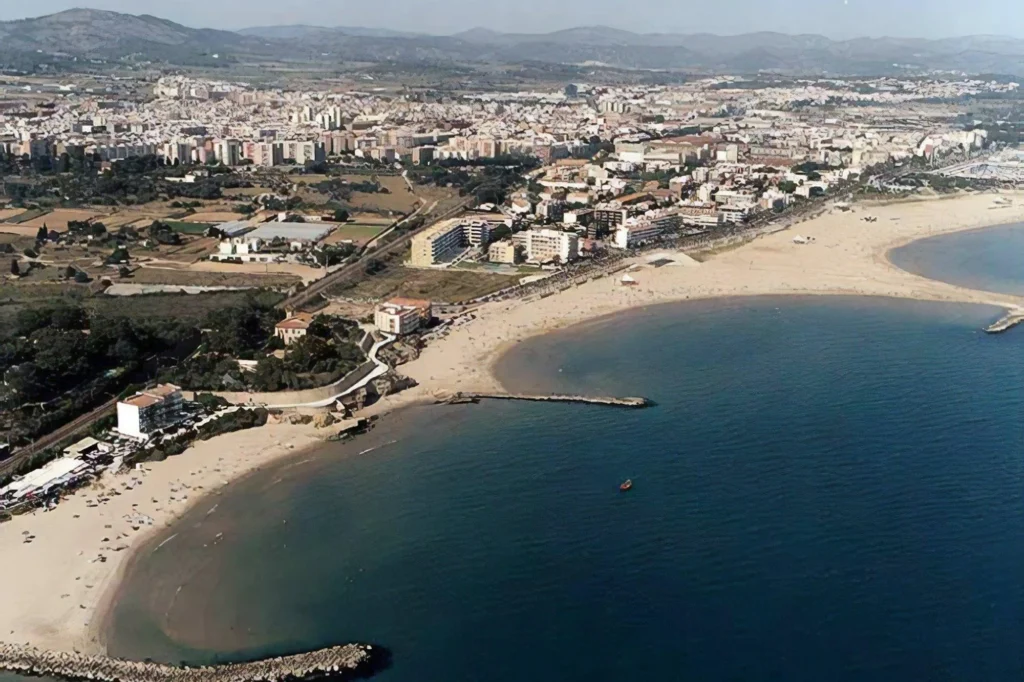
338	663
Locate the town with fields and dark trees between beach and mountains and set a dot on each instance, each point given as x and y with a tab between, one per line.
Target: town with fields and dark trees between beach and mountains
188	255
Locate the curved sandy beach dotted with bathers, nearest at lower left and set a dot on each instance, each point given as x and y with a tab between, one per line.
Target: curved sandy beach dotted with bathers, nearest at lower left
55	586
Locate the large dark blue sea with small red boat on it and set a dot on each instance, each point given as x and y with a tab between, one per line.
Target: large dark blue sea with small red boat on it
827	489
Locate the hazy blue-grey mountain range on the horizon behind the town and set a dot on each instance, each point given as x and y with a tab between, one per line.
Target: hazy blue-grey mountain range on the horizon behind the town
112	35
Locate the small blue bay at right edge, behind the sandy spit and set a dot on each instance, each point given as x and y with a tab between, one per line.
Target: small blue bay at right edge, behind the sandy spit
991	260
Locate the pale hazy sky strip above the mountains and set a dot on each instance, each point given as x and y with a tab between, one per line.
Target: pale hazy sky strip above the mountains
838	19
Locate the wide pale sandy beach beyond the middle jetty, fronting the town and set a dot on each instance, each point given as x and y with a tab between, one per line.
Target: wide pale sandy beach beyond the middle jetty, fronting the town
847	257
